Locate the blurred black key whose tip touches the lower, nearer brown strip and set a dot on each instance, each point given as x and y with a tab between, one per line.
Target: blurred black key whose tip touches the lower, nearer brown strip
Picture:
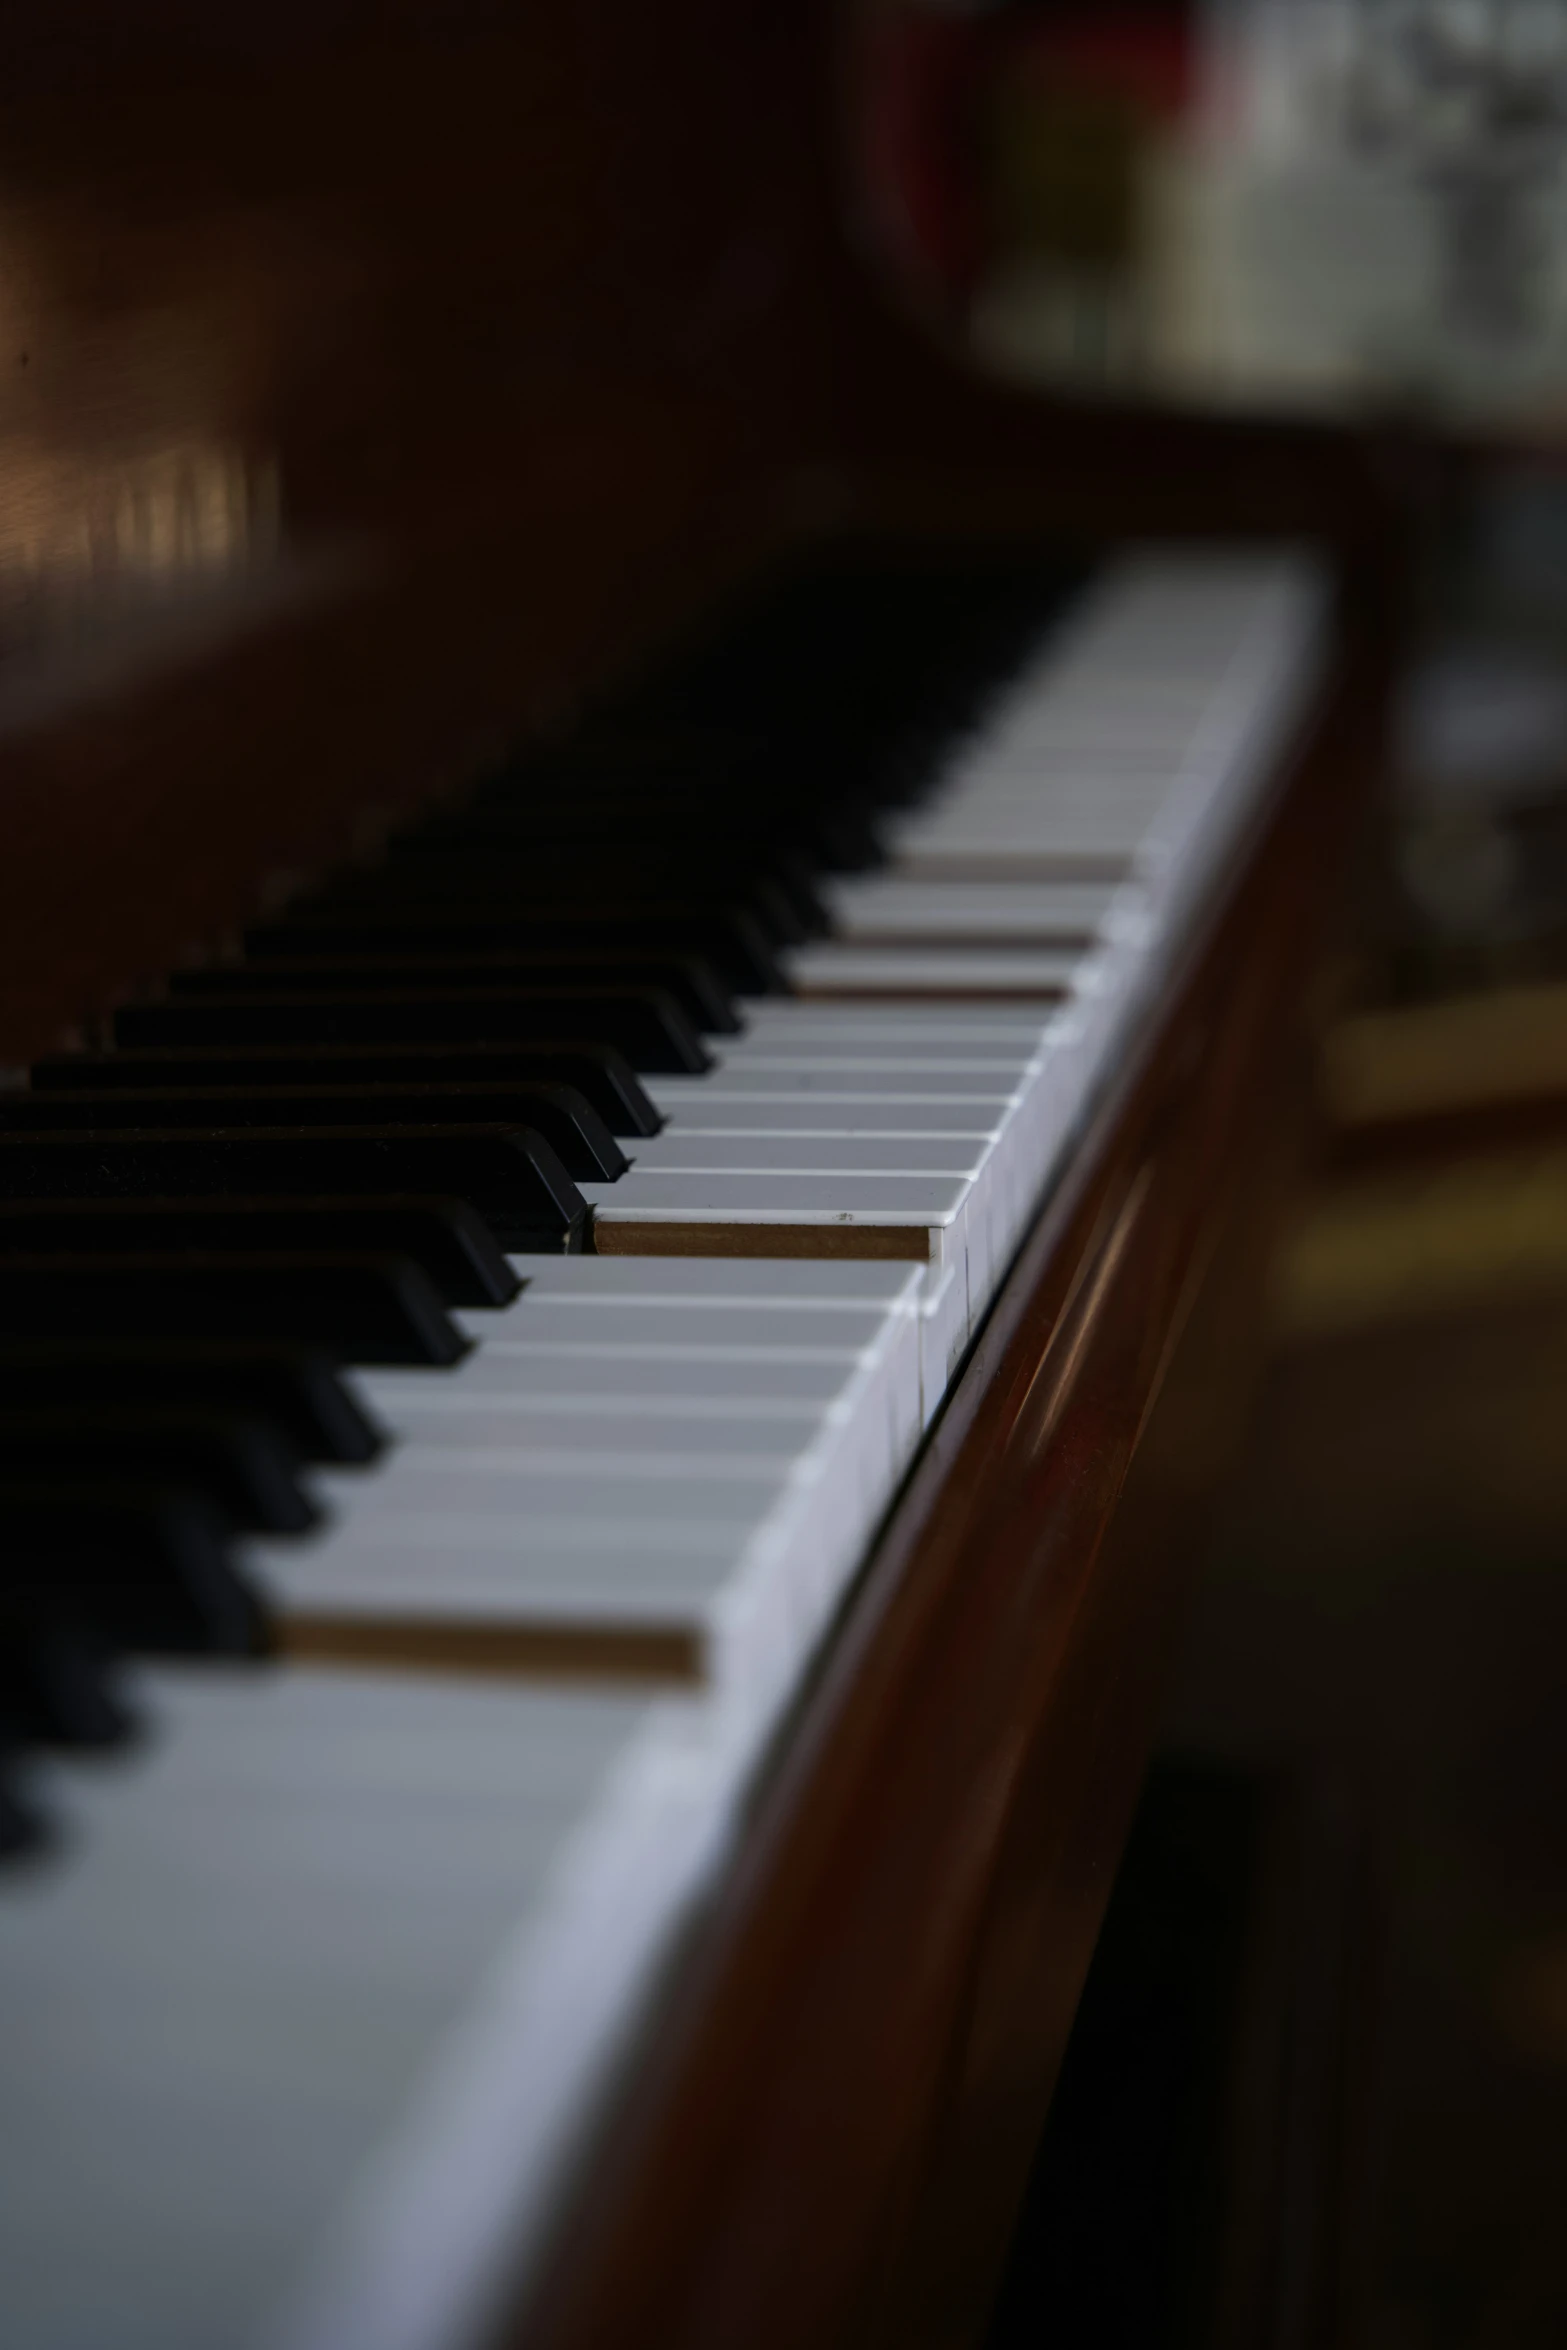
137	1564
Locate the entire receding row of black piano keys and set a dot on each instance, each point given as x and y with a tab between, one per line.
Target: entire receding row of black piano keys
309	1155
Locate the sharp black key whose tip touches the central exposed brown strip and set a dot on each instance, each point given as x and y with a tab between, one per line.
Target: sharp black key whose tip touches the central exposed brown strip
509	1176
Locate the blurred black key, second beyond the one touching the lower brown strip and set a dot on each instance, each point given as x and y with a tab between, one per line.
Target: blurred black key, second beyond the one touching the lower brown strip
292	1388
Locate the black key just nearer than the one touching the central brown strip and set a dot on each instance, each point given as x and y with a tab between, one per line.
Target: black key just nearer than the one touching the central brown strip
452	1247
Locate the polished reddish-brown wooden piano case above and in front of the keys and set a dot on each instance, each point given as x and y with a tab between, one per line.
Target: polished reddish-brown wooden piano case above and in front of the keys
516	340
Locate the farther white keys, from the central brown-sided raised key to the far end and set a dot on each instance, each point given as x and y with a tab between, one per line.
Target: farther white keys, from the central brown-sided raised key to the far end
990	1009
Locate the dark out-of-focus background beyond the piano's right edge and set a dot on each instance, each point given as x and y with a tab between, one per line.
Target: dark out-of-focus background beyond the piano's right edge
1319	2083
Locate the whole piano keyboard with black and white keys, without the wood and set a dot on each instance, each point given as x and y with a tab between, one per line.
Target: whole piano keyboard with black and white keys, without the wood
455	1359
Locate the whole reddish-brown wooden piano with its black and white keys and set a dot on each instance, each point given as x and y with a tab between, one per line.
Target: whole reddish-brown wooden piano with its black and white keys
657	981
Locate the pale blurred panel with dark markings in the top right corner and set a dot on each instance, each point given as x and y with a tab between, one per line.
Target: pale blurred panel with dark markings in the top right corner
1378	201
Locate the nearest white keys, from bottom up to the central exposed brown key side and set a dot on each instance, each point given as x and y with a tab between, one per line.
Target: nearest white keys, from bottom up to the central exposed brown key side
405	1923
